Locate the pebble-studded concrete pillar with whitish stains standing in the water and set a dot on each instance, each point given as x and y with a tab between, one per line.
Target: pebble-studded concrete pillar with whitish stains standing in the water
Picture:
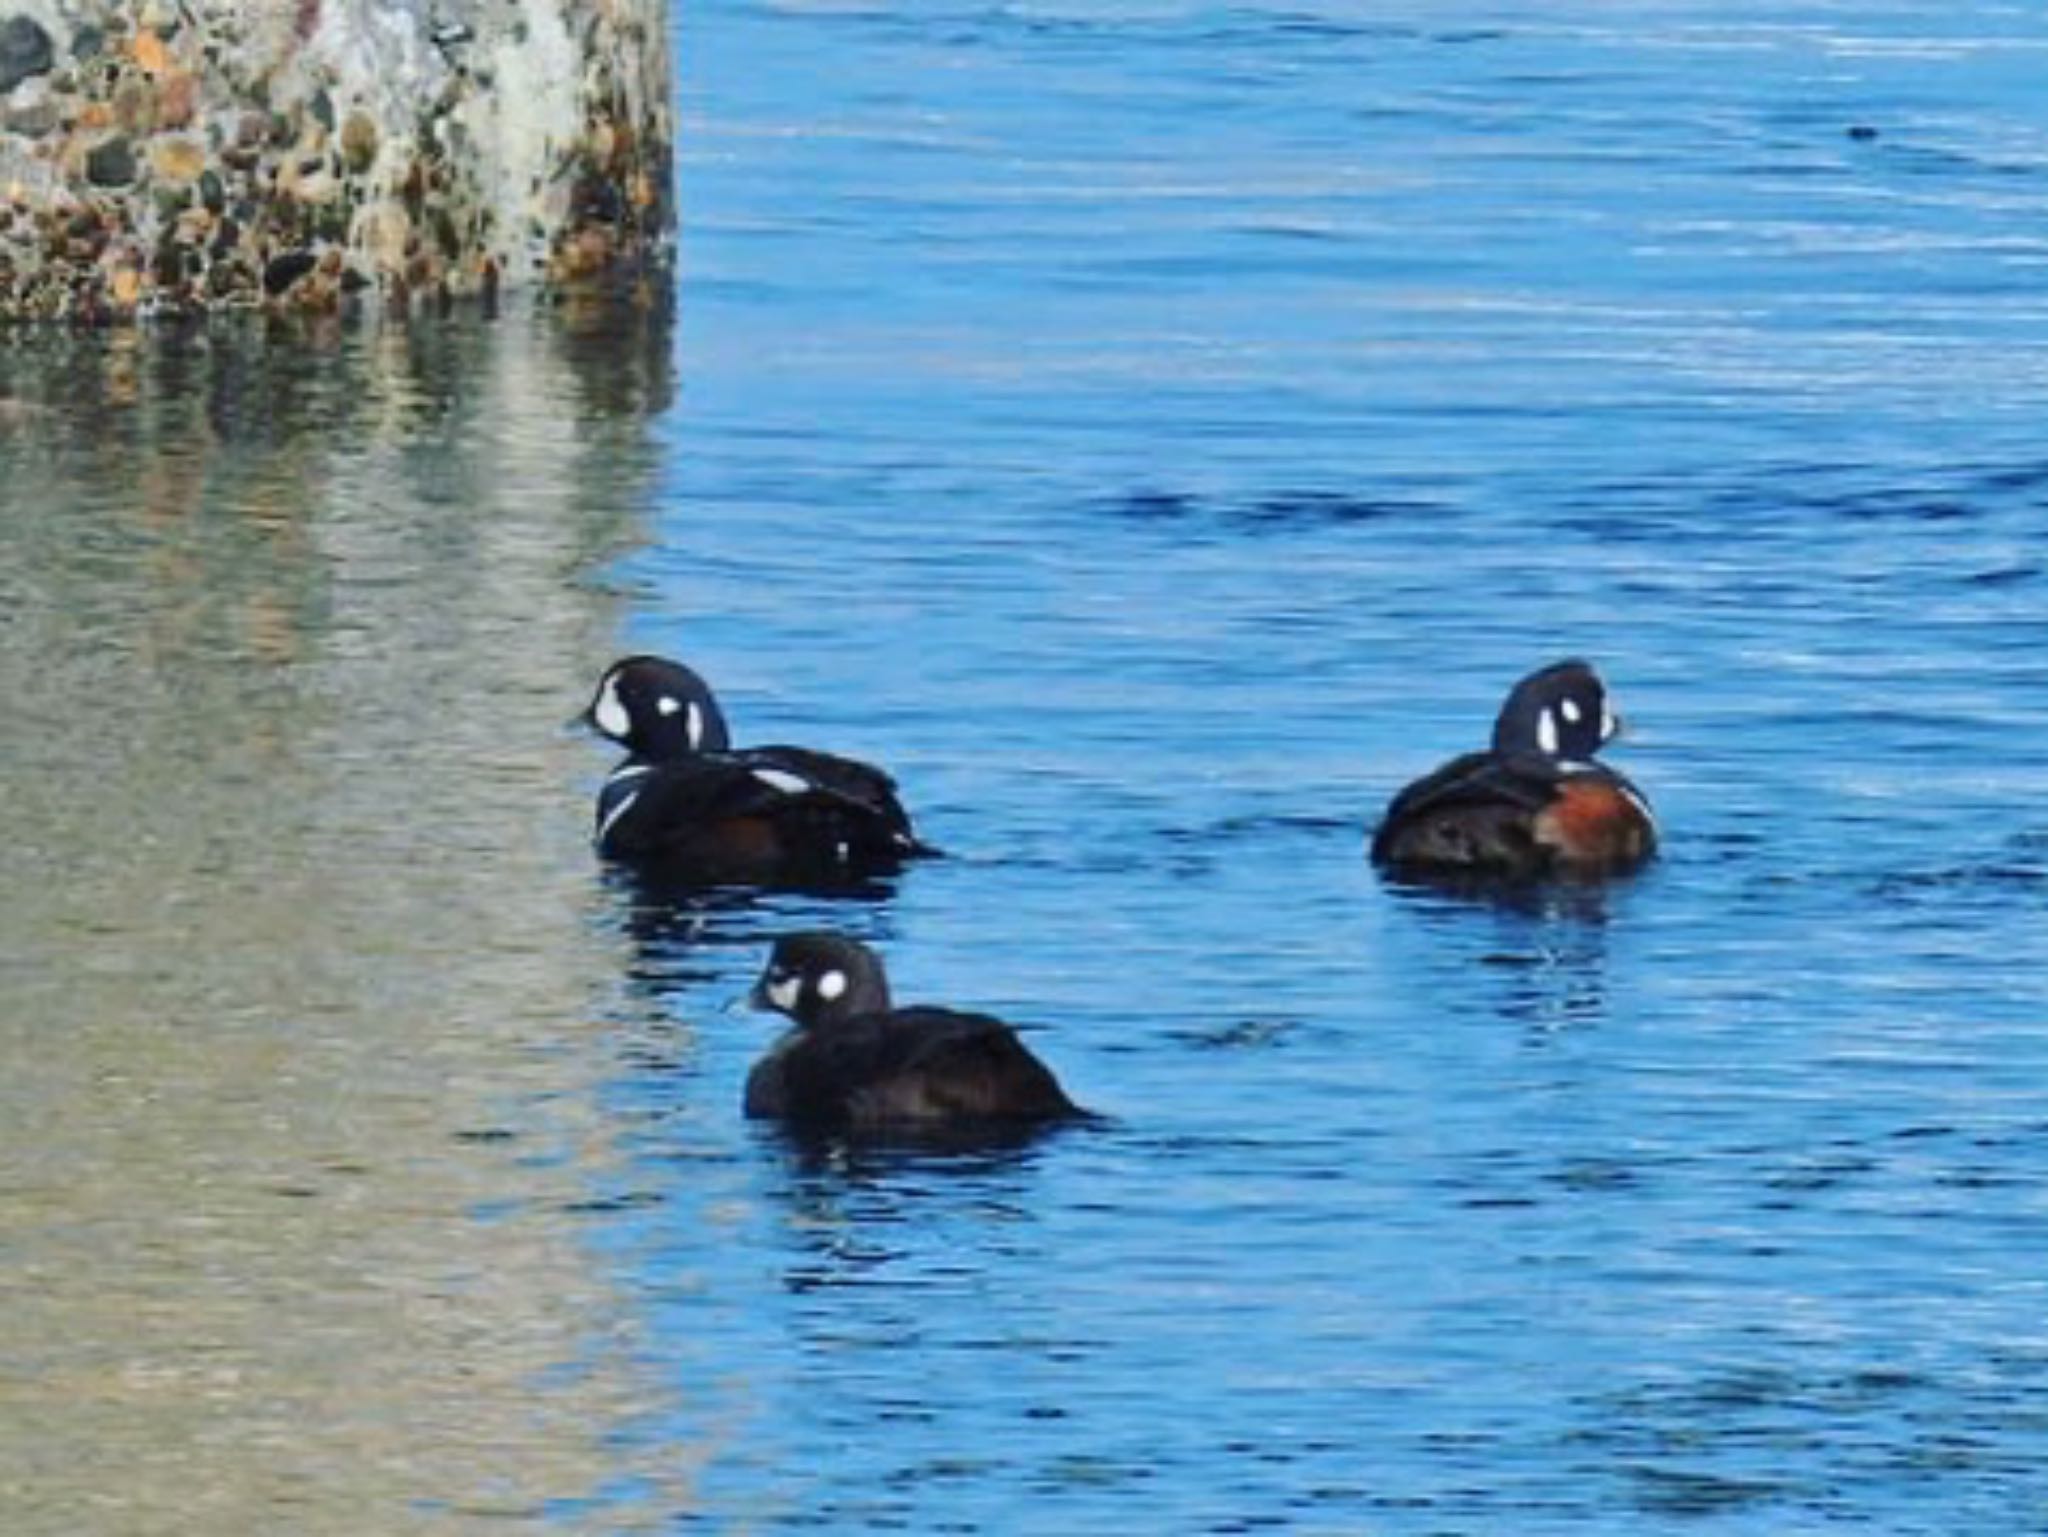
175	157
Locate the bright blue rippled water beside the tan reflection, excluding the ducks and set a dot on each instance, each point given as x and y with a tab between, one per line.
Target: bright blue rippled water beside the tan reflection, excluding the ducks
1158	431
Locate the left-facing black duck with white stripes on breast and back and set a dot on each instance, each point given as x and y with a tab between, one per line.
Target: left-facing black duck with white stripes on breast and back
693	804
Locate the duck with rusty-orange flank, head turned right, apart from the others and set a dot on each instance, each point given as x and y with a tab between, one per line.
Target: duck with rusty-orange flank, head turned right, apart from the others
1535	804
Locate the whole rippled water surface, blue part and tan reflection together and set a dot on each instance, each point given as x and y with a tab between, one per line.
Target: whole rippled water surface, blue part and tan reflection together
1154	433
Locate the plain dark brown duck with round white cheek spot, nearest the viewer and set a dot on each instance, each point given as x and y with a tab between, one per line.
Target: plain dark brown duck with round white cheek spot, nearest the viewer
859	1065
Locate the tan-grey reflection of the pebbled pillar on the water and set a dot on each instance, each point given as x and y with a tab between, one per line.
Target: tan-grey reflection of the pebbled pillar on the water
290	915
